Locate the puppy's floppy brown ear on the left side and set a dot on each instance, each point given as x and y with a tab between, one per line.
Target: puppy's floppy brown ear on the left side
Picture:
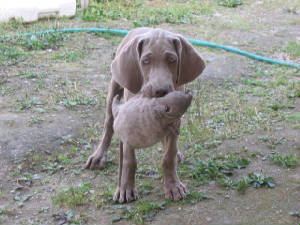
125	67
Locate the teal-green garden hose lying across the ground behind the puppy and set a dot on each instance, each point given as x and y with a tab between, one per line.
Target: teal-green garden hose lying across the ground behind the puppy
193	41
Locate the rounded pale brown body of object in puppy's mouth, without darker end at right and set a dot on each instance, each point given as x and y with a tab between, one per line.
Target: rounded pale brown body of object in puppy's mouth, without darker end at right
138	126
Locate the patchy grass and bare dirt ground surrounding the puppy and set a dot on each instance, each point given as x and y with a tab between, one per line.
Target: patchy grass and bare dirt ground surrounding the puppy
240	136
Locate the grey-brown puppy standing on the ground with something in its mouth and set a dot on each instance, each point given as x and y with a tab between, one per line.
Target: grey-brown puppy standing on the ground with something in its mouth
155	62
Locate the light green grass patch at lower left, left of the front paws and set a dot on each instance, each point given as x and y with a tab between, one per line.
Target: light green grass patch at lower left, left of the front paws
73	196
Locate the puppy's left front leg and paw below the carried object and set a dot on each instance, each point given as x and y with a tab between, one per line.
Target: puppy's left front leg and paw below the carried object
126	191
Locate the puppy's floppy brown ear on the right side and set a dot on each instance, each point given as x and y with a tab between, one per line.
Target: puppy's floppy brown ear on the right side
190	64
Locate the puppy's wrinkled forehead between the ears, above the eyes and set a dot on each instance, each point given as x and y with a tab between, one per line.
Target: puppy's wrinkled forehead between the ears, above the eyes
158	41
